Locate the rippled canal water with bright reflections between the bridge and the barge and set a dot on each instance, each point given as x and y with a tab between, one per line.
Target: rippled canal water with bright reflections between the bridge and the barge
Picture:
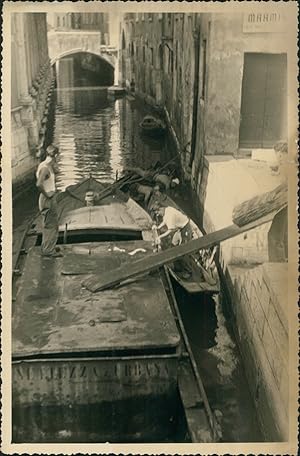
100	136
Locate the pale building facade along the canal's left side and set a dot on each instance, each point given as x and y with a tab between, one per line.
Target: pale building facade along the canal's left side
30	85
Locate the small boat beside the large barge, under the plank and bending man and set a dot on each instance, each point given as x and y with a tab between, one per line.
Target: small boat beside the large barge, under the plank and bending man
196	273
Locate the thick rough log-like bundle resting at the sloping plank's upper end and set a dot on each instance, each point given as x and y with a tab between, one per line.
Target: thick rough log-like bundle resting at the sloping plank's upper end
260	205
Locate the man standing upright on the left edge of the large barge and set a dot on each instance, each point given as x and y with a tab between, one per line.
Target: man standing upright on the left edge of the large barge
47	203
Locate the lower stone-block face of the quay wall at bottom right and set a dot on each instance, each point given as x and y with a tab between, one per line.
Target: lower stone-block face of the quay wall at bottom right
259	298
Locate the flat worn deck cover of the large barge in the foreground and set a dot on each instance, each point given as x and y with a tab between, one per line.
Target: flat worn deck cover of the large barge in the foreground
55	315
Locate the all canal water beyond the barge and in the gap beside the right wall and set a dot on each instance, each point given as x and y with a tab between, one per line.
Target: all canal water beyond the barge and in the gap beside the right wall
100	136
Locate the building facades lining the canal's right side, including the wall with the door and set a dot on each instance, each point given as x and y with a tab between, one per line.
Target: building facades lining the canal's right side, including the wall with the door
210	70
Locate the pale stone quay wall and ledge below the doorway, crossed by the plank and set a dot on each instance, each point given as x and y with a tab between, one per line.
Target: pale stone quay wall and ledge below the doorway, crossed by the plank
258	295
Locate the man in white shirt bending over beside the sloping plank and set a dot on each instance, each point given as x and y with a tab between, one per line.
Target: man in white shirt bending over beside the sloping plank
175	221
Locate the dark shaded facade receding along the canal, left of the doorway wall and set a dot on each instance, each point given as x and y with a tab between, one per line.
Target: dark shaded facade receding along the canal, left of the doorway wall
157	58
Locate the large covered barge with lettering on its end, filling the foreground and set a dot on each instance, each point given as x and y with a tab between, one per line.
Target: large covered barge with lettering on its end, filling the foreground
95	367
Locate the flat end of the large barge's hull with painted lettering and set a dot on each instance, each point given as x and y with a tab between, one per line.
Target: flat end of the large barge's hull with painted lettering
94	400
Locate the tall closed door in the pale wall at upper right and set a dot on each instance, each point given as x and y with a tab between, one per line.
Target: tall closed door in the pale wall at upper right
264	100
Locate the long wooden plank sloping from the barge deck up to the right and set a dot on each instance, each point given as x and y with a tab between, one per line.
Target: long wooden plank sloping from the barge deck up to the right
111	278
